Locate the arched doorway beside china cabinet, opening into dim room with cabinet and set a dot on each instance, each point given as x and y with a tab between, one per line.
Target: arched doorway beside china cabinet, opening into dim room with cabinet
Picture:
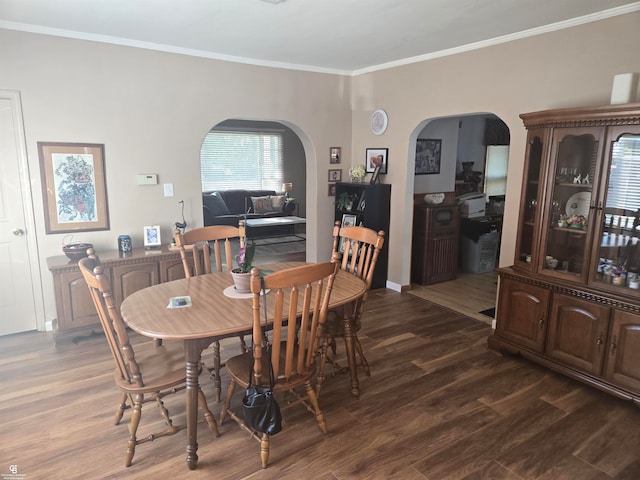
468	163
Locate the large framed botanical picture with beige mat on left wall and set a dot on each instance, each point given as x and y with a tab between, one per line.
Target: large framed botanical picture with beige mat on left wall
74	187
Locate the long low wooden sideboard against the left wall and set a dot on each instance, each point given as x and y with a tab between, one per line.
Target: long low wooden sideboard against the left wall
129	272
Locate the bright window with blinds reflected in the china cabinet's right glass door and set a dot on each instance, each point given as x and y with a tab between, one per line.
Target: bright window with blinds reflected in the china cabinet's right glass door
624	175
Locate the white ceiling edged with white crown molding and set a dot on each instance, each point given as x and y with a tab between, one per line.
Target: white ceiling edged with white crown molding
333	36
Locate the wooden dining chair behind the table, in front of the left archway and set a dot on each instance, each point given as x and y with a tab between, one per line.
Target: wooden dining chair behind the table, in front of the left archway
197	249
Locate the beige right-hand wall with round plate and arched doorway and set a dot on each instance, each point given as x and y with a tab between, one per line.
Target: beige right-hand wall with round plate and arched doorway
573	67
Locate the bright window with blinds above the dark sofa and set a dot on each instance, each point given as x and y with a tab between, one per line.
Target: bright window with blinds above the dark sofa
249	160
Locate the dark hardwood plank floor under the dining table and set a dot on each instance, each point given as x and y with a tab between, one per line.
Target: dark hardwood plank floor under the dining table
438	405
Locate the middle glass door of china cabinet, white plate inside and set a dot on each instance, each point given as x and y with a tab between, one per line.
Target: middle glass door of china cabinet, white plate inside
570	203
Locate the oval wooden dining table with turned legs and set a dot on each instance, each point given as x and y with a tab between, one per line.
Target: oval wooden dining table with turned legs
212	314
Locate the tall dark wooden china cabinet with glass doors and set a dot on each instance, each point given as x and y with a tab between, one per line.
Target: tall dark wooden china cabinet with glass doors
571	301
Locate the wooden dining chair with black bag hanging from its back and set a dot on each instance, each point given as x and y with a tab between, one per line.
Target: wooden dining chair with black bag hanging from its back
294	340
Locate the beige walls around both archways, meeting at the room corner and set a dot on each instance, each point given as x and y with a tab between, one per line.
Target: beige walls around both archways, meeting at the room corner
152	110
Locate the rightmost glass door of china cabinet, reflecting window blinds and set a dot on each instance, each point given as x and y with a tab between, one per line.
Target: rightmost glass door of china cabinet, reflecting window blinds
618	259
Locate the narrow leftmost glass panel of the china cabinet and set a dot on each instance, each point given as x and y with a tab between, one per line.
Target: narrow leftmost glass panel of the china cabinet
529	211
